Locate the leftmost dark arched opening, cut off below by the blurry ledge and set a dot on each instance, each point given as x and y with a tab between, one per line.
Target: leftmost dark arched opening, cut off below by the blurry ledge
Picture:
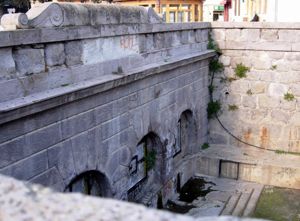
90	182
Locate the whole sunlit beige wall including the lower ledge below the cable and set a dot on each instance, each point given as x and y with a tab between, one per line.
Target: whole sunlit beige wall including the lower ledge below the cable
261	110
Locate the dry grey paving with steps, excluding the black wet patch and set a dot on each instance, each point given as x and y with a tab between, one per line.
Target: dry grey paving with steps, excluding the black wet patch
229	197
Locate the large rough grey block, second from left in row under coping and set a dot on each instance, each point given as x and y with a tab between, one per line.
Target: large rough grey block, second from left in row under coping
29	61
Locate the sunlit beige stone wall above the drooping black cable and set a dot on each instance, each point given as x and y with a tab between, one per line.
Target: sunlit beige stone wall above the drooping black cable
264	117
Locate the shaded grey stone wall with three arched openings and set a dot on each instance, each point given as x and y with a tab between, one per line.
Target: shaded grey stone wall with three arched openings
83	97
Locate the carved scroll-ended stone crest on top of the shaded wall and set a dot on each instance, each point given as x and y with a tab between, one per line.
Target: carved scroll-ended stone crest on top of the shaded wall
67	14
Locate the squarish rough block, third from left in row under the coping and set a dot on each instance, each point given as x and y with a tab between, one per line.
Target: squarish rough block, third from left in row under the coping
54	54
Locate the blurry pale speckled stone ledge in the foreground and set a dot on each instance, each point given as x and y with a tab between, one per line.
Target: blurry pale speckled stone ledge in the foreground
21	201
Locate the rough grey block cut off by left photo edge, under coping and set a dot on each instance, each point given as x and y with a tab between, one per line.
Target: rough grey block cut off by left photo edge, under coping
7	64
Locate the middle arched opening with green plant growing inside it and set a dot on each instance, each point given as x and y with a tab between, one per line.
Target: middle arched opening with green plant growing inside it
148	168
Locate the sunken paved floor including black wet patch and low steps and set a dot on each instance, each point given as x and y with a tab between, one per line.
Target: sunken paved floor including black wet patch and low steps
209	196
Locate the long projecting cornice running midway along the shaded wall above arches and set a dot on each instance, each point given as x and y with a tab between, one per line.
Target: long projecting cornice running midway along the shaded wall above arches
35	103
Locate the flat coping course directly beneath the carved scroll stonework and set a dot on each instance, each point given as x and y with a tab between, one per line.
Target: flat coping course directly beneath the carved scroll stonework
48	35
